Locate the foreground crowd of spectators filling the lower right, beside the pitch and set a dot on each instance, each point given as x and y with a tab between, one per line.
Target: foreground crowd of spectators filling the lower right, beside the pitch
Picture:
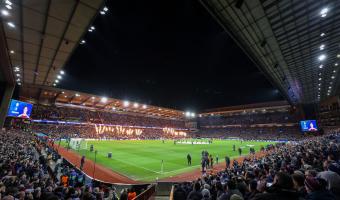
308	170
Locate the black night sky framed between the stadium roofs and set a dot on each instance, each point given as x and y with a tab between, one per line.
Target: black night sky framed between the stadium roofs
168	53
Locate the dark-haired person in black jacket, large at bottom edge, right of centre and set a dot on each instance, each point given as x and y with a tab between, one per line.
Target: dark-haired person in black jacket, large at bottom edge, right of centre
282	189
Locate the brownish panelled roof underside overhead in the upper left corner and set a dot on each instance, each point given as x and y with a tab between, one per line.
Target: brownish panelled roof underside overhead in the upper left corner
42	34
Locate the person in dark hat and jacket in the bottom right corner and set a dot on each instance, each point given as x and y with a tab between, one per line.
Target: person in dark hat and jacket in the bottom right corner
316	189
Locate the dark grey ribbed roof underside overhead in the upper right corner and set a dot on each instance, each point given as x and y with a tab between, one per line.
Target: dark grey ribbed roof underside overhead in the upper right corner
295	43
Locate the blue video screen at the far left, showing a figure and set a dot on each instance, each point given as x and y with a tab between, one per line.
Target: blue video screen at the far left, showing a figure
19	109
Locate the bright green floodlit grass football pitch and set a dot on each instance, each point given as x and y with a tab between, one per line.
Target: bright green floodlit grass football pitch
141	159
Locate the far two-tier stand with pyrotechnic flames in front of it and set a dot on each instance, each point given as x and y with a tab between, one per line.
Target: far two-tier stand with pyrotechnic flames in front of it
80	122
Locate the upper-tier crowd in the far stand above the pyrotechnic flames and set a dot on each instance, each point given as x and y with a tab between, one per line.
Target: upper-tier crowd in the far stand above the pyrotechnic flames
102	116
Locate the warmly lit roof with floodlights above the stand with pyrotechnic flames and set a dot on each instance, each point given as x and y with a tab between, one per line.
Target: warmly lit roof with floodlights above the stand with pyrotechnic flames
52	95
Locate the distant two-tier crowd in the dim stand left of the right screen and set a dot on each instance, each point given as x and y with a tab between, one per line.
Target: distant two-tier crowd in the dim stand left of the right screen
259	125
